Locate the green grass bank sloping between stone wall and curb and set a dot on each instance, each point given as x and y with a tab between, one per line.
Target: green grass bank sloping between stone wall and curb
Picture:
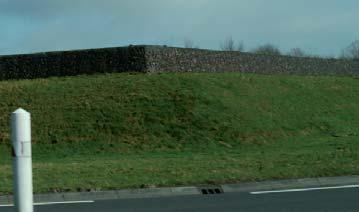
134	130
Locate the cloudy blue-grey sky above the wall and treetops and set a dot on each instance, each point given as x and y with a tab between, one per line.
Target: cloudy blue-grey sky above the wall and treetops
319	27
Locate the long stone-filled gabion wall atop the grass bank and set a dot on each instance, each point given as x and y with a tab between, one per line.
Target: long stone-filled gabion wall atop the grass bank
164	59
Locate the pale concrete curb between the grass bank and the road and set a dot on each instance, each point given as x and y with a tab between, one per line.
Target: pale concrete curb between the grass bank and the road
184	191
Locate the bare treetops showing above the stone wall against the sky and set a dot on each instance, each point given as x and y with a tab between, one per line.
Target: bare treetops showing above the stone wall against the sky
349	52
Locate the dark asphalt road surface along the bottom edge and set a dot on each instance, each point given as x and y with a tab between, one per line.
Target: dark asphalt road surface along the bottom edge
341	200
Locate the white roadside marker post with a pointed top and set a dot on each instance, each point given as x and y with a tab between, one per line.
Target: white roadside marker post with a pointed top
22	163
